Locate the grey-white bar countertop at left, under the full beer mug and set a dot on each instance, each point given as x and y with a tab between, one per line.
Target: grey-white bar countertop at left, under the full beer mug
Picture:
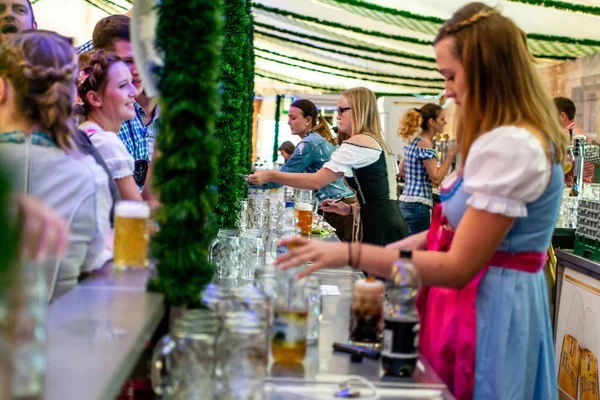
96	334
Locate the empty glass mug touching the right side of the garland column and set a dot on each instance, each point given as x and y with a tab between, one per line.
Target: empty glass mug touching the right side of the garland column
225	253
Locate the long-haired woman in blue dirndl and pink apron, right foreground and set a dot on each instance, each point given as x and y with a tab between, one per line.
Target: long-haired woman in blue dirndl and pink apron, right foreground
485	321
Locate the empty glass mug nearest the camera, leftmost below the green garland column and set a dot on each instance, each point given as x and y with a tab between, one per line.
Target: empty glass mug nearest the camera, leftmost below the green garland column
184	361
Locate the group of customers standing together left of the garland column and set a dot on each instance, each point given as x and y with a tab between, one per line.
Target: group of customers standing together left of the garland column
76	135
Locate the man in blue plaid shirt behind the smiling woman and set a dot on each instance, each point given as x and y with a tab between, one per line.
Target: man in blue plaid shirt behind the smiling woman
112	34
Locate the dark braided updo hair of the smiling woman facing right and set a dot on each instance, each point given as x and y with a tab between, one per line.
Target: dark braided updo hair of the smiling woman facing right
93	76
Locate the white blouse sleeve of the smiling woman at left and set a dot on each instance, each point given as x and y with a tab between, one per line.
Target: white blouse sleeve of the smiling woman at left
113	151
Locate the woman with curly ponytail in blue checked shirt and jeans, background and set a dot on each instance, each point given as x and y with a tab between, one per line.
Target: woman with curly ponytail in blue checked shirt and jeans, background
419	165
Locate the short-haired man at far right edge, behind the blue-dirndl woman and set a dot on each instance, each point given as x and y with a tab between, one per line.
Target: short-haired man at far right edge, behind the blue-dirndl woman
566	109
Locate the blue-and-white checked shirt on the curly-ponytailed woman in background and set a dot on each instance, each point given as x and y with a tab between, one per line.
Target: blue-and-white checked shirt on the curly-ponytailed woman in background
418	185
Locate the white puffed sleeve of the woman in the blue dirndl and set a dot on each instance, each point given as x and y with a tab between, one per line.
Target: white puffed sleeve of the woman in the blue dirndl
506	169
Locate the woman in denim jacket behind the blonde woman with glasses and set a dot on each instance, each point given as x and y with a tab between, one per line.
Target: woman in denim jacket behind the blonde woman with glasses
310	155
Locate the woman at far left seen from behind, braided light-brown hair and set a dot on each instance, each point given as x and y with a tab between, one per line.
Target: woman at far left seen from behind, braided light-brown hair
37	86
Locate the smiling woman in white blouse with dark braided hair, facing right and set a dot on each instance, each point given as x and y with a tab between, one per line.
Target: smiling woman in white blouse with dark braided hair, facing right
106	100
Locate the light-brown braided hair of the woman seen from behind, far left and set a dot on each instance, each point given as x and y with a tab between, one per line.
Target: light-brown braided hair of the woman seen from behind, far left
40	65
